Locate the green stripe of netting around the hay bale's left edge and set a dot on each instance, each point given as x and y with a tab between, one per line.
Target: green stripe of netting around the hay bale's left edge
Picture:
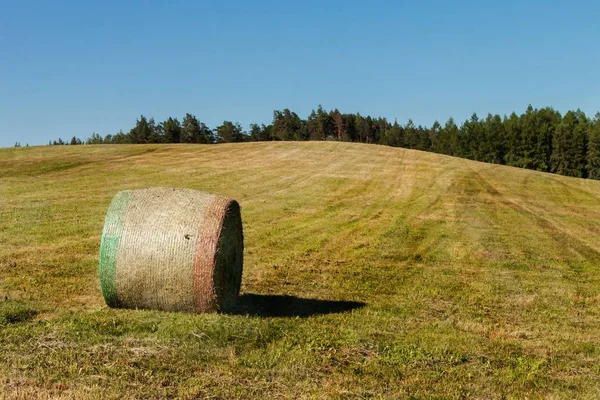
109	247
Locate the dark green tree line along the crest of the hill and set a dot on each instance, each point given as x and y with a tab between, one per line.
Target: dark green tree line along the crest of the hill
538	139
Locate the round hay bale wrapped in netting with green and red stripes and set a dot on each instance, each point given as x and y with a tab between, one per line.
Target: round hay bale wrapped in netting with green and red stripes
172	250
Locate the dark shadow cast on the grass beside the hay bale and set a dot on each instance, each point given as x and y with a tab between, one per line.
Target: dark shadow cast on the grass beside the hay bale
262	305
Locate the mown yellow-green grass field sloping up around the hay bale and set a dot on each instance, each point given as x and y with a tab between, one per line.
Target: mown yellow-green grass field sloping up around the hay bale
370	272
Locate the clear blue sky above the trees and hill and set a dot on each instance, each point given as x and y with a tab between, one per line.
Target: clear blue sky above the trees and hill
71	68
